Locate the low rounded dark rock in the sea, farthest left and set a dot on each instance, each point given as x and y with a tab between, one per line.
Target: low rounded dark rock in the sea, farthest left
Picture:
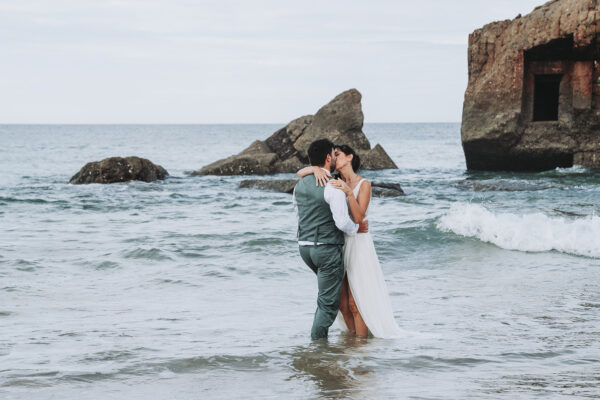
119	169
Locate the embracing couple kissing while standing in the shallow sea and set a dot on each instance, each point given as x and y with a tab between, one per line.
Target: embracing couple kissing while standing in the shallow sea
335	243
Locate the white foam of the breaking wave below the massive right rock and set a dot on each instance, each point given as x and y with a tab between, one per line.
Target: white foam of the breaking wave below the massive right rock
534	232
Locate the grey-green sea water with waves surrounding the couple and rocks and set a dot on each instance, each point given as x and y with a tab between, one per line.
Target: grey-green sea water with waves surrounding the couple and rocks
191	287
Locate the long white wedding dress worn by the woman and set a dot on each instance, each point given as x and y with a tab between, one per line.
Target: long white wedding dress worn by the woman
367	284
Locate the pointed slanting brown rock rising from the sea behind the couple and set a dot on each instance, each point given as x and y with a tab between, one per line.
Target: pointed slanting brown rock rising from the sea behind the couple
340	121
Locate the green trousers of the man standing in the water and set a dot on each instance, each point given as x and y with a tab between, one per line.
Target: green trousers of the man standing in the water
327	261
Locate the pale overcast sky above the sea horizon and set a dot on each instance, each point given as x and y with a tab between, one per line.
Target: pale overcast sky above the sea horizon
235	61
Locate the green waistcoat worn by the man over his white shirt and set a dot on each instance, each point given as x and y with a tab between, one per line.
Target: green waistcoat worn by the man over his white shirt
315	221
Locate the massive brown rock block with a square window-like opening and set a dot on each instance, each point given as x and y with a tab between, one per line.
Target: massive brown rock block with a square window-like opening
533	97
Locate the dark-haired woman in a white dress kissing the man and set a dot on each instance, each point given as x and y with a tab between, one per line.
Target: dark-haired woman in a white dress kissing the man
364	304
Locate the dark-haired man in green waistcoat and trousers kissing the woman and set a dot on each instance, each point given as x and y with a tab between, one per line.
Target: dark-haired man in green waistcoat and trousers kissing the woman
322	221
